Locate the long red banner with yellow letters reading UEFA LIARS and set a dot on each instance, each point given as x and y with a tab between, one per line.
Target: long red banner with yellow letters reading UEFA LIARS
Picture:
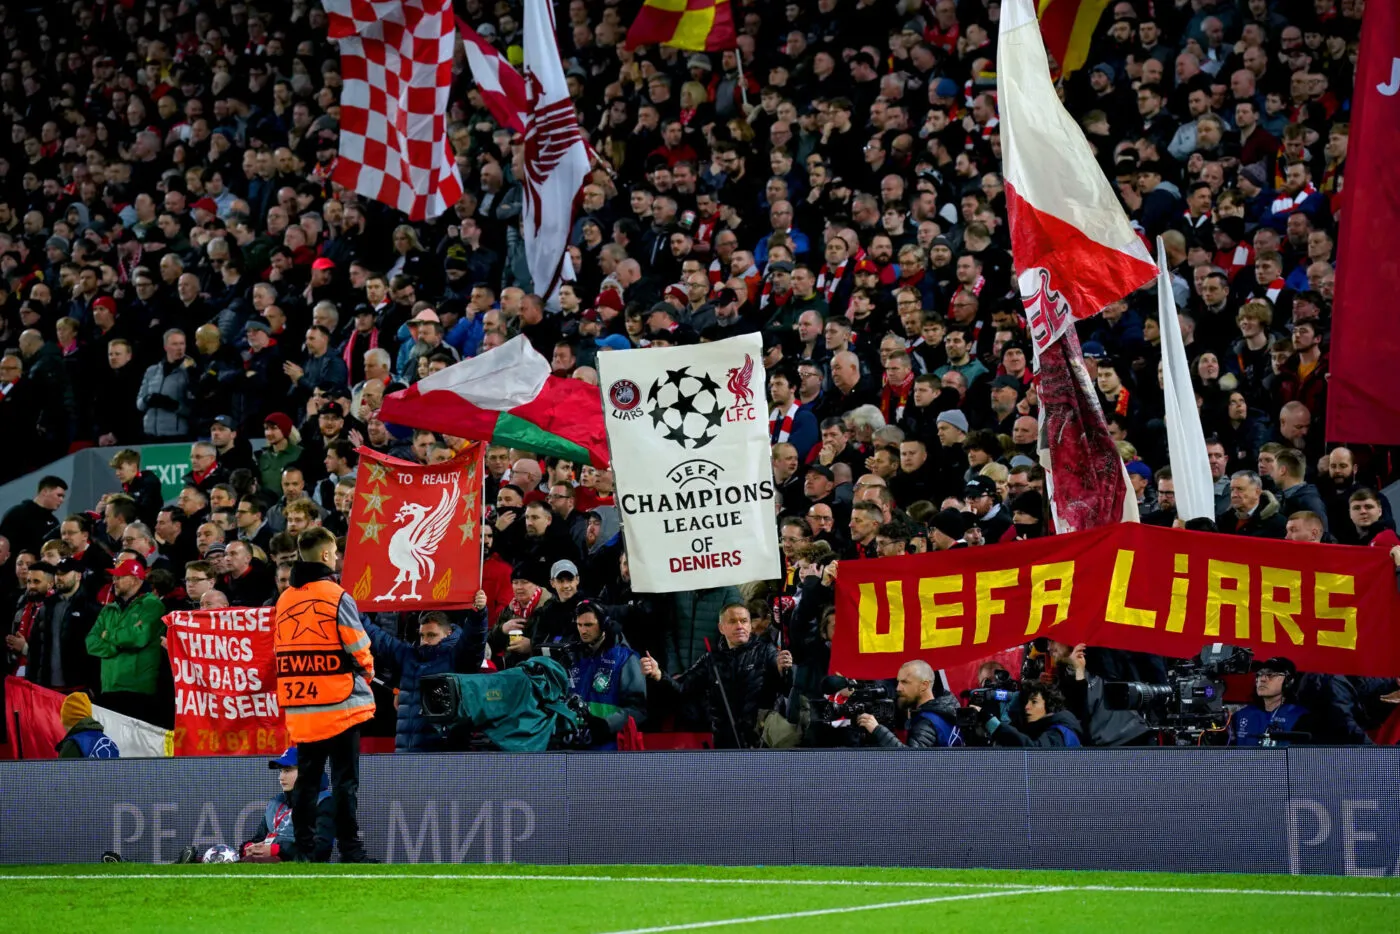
1329	608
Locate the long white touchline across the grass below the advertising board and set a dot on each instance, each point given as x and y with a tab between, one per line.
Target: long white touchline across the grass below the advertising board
668	880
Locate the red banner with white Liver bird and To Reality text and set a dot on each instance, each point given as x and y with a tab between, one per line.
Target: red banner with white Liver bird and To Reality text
415	538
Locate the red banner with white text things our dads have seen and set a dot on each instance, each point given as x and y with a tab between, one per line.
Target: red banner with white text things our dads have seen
226	683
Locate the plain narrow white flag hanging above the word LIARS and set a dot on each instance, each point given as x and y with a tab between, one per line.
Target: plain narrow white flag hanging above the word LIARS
1186	443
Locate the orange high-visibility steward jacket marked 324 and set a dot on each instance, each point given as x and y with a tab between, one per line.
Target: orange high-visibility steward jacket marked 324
317	681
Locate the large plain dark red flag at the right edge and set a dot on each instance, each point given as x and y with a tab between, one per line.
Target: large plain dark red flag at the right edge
1366	333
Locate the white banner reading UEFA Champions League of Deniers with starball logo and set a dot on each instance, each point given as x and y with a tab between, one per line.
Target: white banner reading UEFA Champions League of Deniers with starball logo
688	432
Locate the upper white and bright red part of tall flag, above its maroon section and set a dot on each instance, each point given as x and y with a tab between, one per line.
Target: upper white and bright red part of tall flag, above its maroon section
1073	246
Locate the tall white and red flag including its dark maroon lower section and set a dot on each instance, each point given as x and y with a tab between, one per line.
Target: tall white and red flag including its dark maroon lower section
1074	253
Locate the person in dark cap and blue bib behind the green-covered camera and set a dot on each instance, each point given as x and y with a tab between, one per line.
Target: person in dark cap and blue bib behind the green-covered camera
607	676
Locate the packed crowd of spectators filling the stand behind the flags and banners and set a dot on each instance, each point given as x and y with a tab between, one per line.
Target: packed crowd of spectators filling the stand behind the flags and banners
180	267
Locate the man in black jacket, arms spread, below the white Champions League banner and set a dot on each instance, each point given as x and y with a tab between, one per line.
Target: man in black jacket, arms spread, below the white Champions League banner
734	683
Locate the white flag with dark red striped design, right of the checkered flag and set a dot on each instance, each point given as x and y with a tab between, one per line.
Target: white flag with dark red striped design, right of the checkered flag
556	158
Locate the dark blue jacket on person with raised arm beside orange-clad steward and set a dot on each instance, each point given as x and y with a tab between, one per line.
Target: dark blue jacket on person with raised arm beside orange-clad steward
461	652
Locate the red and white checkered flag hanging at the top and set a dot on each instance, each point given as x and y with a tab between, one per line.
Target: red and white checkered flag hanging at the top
397	64
